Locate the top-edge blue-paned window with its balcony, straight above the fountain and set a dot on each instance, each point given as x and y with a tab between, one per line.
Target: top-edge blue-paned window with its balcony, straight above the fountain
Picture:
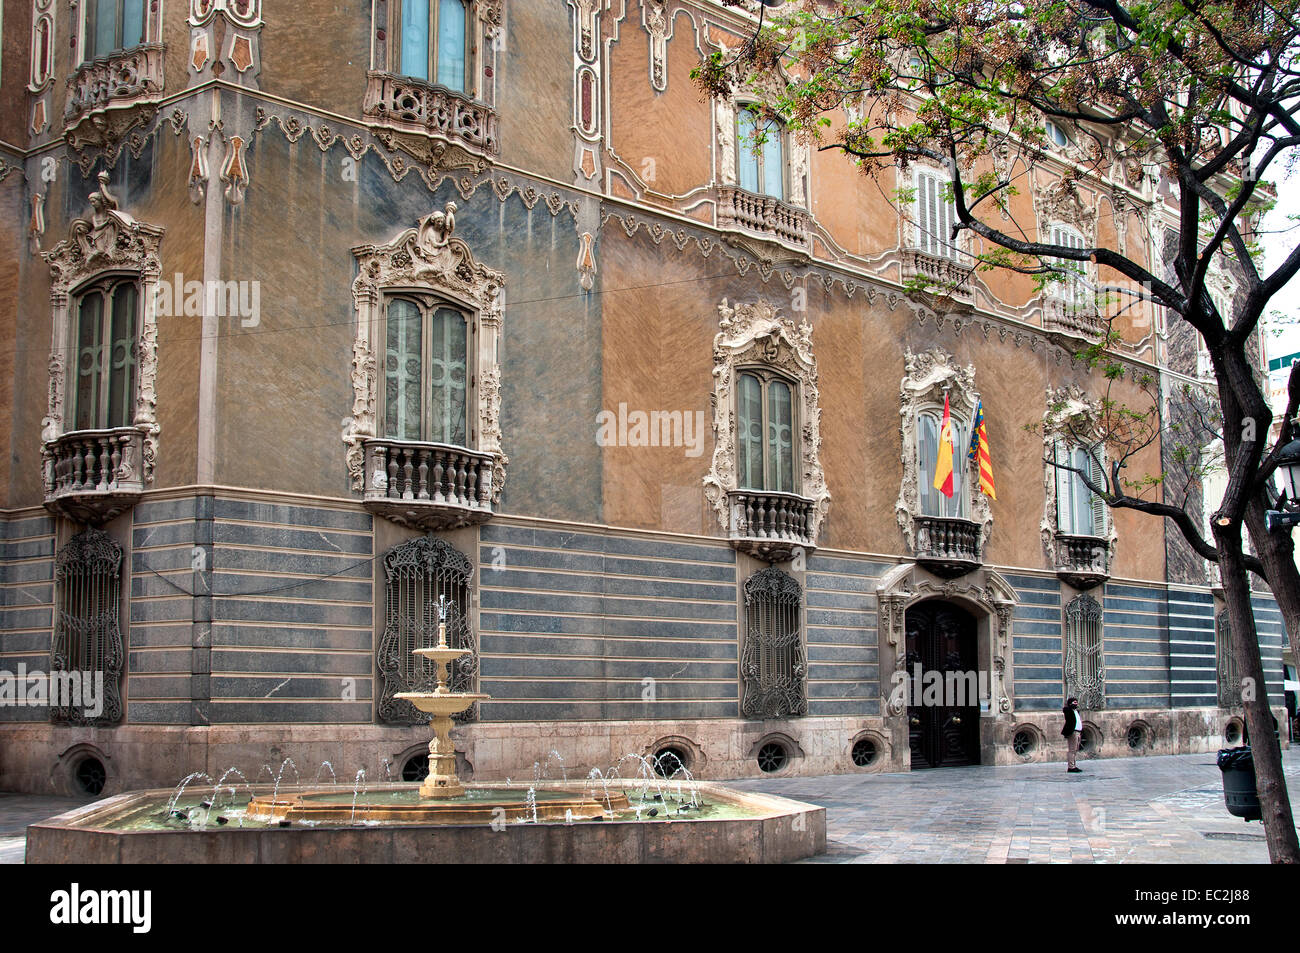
431	89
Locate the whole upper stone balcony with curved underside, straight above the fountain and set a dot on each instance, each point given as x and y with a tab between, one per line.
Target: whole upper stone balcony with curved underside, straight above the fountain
404	107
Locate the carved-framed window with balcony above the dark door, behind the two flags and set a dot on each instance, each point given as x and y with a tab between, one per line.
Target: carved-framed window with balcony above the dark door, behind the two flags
946	535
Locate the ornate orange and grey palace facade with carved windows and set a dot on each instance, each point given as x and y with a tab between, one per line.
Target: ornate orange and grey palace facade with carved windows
323	318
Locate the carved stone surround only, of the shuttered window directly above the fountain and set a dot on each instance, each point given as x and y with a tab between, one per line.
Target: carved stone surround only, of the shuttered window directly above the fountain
428	258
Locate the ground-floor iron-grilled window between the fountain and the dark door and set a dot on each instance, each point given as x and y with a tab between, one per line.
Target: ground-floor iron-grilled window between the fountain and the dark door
773	666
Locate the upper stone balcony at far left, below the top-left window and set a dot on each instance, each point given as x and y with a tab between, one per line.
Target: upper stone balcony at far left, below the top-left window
111	94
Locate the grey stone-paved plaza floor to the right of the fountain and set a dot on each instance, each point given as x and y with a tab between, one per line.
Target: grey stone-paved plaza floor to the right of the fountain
1120	811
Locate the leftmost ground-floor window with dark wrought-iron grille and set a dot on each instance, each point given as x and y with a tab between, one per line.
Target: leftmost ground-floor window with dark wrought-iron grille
88	639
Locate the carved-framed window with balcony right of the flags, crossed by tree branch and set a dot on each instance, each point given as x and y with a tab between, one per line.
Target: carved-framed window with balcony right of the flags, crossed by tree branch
1078	531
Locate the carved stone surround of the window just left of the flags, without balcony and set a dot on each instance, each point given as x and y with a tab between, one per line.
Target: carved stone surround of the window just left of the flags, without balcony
756	335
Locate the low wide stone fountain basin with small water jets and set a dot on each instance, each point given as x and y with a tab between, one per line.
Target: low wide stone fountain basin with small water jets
491	824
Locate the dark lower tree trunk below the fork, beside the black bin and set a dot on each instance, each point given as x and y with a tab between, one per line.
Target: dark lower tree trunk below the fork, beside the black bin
1279	824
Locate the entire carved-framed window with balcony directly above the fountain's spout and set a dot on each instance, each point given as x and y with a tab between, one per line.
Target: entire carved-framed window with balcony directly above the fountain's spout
449	470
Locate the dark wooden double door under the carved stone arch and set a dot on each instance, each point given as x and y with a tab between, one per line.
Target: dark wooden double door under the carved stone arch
942	639
